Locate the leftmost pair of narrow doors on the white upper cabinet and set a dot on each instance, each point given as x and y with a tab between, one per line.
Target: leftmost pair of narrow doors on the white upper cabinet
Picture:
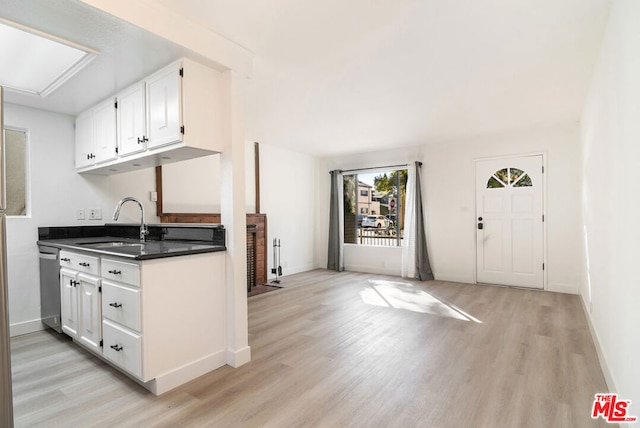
96	135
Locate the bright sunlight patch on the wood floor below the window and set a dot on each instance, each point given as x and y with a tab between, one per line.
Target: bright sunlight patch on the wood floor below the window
405	296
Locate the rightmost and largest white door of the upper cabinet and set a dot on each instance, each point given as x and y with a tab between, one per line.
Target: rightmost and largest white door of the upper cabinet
164	106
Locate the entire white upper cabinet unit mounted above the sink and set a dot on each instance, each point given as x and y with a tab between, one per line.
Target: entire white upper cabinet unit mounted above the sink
175	114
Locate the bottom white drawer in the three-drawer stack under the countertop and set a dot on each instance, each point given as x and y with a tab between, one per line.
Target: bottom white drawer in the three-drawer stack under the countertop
122	347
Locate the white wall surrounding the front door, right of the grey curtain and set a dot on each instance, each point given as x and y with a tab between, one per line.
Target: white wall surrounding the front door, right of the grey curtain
449	193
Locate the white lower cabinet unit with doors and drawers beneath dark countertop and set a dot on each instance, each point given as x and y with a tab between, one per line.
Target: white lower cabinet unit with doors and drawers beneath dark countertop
161	321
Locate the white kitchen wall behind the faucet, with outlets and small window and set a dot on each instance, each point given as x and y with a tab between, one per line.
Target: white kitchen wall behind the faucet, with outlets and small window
56	191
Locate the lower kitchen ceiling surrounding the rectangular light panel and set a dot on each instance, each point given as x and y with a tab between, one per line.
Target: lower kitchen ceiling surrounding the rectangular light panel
127	53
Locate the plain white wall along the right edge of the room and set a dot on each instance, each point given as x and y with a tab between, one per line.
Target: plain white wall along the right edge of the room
611	205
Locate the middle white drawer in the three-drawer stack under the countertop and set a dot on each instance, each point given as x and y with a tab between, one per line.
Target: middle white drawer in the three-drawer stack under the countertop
121	304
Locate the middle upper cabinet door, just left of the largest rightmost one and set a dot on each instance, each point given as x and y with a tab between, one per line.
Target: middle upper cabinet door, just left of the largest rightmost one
131	120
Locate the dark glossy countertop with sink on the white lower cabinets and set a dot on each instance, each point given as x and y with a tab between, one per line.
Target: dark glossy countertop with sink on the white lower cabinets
183	240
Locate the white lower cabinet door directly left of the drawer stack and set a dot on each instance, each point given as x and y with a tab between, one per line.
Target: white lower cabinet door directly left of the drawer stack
90	331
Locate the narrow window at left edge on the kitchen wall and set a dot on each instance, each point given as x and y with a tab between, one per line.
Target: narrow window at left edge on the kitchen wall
16	172
